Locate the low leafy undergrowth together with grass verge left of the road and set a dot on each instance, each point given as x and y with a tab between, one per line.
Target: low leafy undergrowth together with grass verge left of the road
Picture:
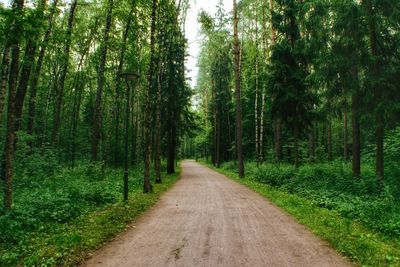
91	214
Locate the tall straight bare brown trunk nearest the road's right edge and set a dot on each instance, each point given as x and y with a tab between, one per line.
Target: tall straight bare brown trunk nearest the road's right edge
239	144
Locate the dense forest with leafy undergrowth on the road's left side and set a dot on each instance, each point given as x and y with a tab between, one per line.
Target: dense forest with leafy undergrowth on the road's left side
87	87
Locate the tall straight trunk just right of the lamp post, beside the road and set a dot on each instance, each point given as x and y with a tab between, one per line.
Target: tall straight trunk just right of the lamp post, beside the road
147	188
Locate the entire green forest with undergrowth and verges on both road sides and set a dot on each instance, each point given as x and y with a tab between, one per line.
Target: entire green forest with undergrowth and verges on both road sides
97	110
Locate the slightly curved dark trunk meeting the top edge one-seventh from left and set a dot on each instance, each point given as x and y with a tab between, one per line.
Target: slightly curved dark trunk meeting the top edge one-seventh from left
37	71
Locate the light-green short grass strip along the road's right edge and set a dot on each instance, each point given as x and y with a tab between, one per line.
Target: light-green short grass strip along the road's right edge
362	245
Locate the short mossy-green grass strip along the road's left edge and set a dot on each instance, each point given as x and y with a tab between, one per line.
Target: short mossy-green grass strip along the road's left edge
70	244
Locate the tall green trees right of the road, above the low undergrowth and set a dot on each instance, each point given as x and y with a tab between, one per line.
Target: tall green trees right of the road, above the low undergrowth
319	84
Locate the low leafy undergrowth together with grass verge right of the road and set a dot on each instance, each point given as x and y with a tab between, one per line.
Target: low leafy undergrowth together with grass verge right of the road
336	217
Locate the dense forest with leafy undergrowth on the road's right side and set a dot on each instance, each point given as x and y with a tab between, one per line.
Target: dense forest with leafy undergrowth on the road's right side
320	106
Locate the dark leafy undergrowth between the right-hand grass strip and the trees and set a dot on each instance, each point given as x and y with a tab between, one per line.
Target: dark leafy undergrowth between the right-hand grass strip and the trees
332	186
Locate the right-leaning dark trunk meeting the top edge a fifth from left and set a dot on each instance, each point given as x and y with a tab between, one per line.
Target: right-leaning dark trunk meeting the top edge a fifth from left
64	70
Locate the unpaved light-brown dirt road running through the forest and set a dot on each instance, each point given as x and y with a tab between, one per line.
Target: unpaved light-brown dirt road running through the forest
205	219
